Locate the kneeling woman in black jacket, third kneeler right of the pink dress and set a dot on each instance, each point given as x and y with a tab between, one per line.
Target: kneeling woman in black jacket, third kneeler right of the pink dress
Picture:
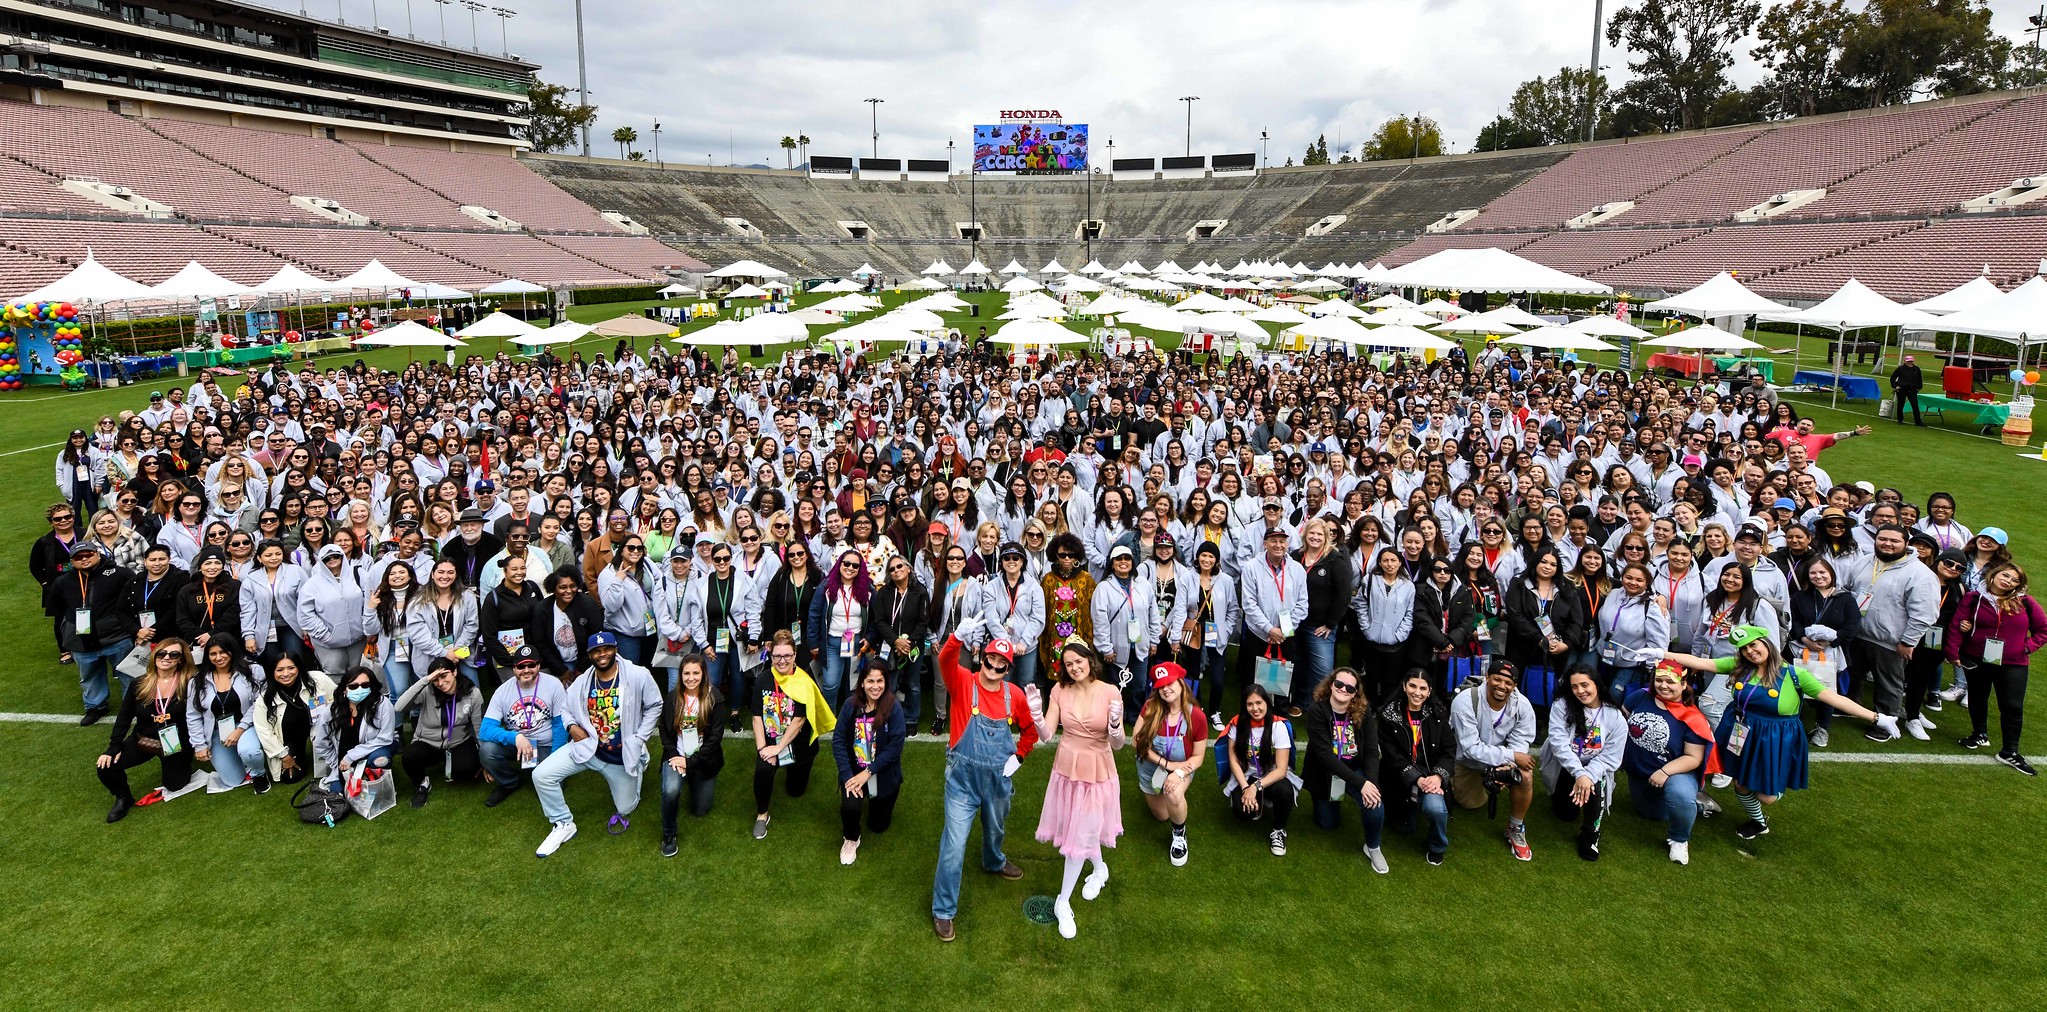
1344	759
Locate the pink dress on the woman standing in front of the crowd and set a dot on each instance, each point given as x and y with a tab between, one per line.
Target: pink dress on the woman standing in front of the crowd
1084	800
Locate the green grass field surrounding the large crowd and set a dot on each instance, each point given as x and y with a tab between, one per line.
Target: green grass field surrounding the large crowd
1884	888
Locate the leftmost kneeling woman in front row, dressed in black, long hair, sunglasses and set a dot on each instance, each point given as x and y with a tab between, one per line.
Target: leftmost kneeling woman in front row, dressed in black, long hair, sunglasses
153	726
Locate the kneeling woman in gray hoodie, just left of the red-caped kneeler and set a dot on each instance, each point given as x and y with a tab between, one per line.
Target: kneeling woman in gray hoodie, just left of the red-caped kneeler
1581	755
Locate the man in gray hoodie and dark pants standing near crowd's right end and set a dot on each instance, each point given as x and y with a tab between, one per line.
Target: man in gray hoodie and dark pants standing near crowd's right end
1901	603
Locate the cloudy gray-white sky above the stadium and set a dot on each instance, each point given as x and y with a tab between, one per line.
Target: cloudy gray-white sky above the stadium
730	79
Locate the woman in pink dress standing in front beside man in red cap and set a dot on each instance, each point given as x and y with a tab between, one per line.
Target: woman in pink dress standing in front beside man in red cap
1082	802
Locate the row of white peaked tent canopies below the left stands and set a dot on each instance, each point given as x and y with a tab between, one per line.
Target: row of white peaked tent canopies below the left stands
93	282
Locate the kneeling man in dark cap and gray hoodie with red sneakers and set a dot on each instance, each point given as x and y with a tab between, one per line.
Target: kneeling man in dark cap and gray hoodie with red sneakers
1495	730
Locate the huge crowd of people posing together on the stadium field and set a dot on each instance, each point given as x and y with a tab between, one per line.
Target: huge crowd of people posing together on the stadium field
1399	589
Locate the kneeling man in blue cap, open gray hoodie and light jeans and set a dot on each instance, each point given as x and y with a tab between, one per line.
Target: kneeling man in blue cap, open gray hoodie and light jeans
613	712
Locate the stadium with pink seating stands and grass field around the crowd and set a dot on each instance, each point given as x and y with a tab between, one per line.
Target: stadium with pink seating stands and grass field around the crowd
263	144
